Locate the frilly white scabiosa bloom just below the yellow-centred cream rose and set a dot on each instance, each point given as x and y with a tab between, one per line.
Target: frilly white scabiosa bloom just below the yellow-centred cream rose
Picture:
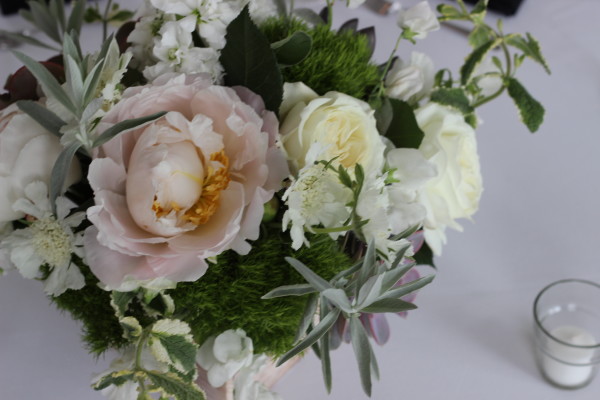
316	198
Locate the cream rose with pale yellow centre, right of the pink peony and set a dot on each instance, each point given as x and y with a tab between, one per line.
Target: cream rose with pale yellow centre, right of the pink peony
337	125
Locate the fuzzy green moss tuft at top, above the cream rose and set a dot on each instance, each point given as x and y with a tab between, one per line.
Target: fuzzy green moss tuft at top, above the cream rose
337	61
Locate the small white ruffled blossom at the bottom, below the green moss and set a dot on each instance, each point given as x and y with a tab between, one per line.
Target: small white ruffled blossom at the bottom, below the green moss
224	355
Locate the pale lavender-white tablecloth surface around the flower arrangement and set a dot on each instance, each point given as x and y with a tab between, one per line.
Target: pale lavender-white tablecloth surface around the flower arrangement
539	221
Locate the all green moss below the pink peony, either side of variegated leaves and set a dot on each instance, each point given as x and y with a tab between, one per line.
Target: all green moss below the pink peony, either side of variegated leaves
228	296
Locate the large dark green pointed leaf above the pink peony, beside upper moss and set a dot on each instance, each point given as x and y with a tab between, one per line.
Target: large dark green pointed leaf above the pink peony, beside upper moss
248	61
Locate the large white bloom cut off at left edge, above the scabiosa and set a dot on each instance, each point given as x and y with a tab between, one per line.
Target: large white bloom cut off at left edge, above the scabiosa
27	154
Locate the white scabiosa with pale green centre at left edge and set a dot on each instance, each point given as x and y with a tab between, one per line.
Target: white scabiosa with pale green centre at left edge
49	240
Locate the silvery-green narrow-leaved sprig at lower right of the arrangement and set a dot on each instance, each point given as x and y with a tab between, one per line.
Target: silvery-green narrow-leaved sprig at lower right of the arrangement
369	286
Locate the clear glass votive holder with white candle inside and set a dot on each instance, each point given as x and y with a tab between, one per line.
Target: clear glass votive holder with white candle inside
567	332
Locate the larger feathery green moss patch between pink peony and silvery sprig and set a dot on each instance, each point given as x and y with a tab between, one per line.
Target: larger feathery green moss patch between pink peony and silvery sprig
229	295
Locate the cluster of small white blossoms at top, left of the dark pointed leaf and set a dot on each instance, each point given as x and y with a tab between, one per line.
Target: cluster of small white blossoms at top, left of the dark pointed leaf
167	33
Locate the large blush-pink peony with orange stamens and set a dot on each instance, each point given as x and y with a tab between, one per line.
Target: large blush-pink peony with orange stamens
184	188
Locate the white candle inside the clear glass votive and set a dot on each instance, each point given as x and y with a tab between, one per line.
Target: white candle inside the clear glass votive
558	363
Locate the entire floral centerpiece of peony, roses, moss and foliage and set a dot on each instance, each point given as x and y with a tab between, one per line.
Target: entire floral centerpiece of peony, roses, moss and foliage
223	185
